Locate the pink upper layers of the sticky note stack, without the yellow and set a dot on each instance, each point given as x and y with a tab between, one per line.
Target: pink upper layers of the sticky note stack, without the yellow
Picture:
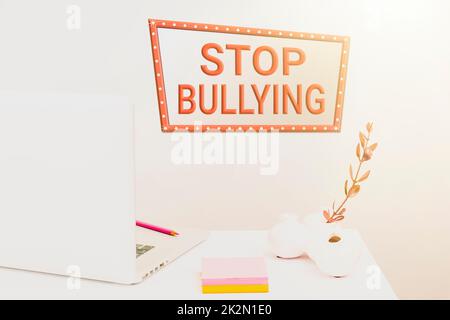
223	271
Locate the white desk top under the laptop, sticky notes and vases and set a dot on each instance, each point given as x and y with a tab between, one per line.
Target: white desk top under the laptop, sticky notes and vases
288	279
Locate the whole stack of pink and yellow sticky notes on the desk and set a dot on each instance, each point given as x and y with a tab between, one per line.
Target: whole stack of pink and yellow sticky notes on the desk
234	275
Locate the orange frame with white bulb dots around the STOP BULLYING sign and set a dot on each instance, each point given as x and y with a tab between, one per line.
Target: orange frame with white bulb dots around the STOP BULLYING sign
166	126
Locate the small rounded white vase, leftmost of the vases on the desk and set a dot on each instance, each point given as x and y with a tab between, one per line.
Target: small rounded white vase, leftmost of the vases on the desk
288	238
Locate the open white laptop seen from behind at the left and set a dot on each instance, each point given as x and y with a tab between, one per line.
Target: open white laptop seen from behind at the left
67	191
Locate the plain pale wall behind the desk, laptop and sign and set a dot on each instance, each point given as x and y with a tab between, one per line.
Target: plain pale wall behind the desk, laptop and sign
398	76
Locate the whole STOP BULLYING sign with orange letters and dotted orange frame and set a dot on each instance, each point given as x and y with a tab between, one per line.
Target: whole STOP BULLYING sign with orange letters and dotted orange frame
247	79
